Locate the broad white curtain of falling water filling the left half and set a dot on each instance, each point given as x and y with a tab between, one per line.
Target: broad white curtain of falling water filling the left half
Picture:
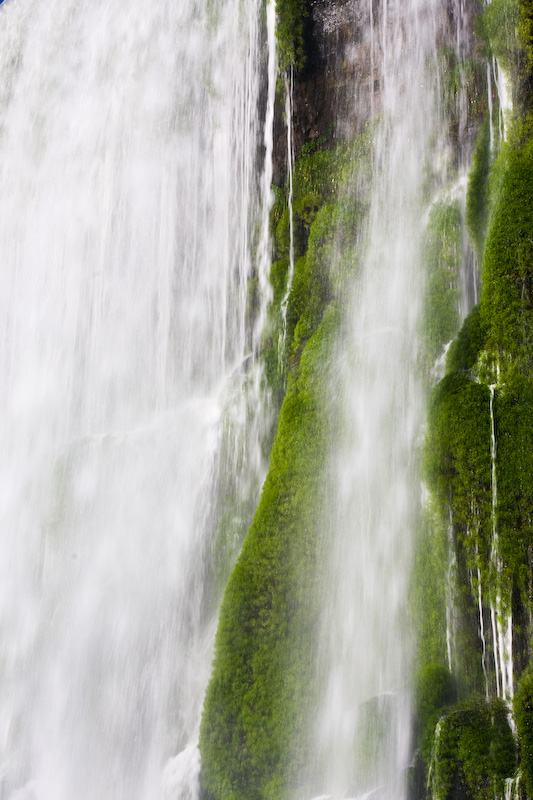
127	155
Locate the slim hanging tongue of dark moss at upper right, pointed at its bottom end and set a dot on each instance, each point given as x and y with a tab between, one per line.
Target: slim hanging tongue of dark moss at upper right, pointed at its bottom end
477	195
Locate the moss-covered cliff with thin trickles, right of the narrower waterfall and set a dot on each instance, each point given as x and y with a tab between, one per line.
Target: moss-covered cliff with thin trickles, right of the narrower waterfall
477	540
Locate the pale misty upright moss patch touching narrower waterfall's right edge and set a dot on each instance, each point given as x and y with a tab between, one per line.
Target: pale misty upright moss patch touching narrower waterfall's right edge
443	254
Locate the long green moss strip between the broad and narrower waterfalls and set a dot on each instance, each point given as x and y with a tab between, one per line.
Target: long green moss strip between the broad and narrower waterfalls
254	730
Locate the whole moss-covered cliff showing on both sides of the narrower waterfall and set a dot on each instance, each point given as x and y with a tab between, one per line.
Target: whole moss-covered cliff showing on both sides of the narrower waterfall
472	596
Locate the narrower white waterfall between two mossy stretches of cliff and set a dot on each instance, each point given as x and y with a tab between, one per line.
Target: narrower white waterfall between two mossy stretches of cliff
363	731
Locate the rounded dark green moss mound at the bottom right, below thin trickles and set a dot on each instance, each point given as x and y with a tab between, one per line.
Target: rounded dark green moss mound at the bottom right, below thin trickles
474	752
